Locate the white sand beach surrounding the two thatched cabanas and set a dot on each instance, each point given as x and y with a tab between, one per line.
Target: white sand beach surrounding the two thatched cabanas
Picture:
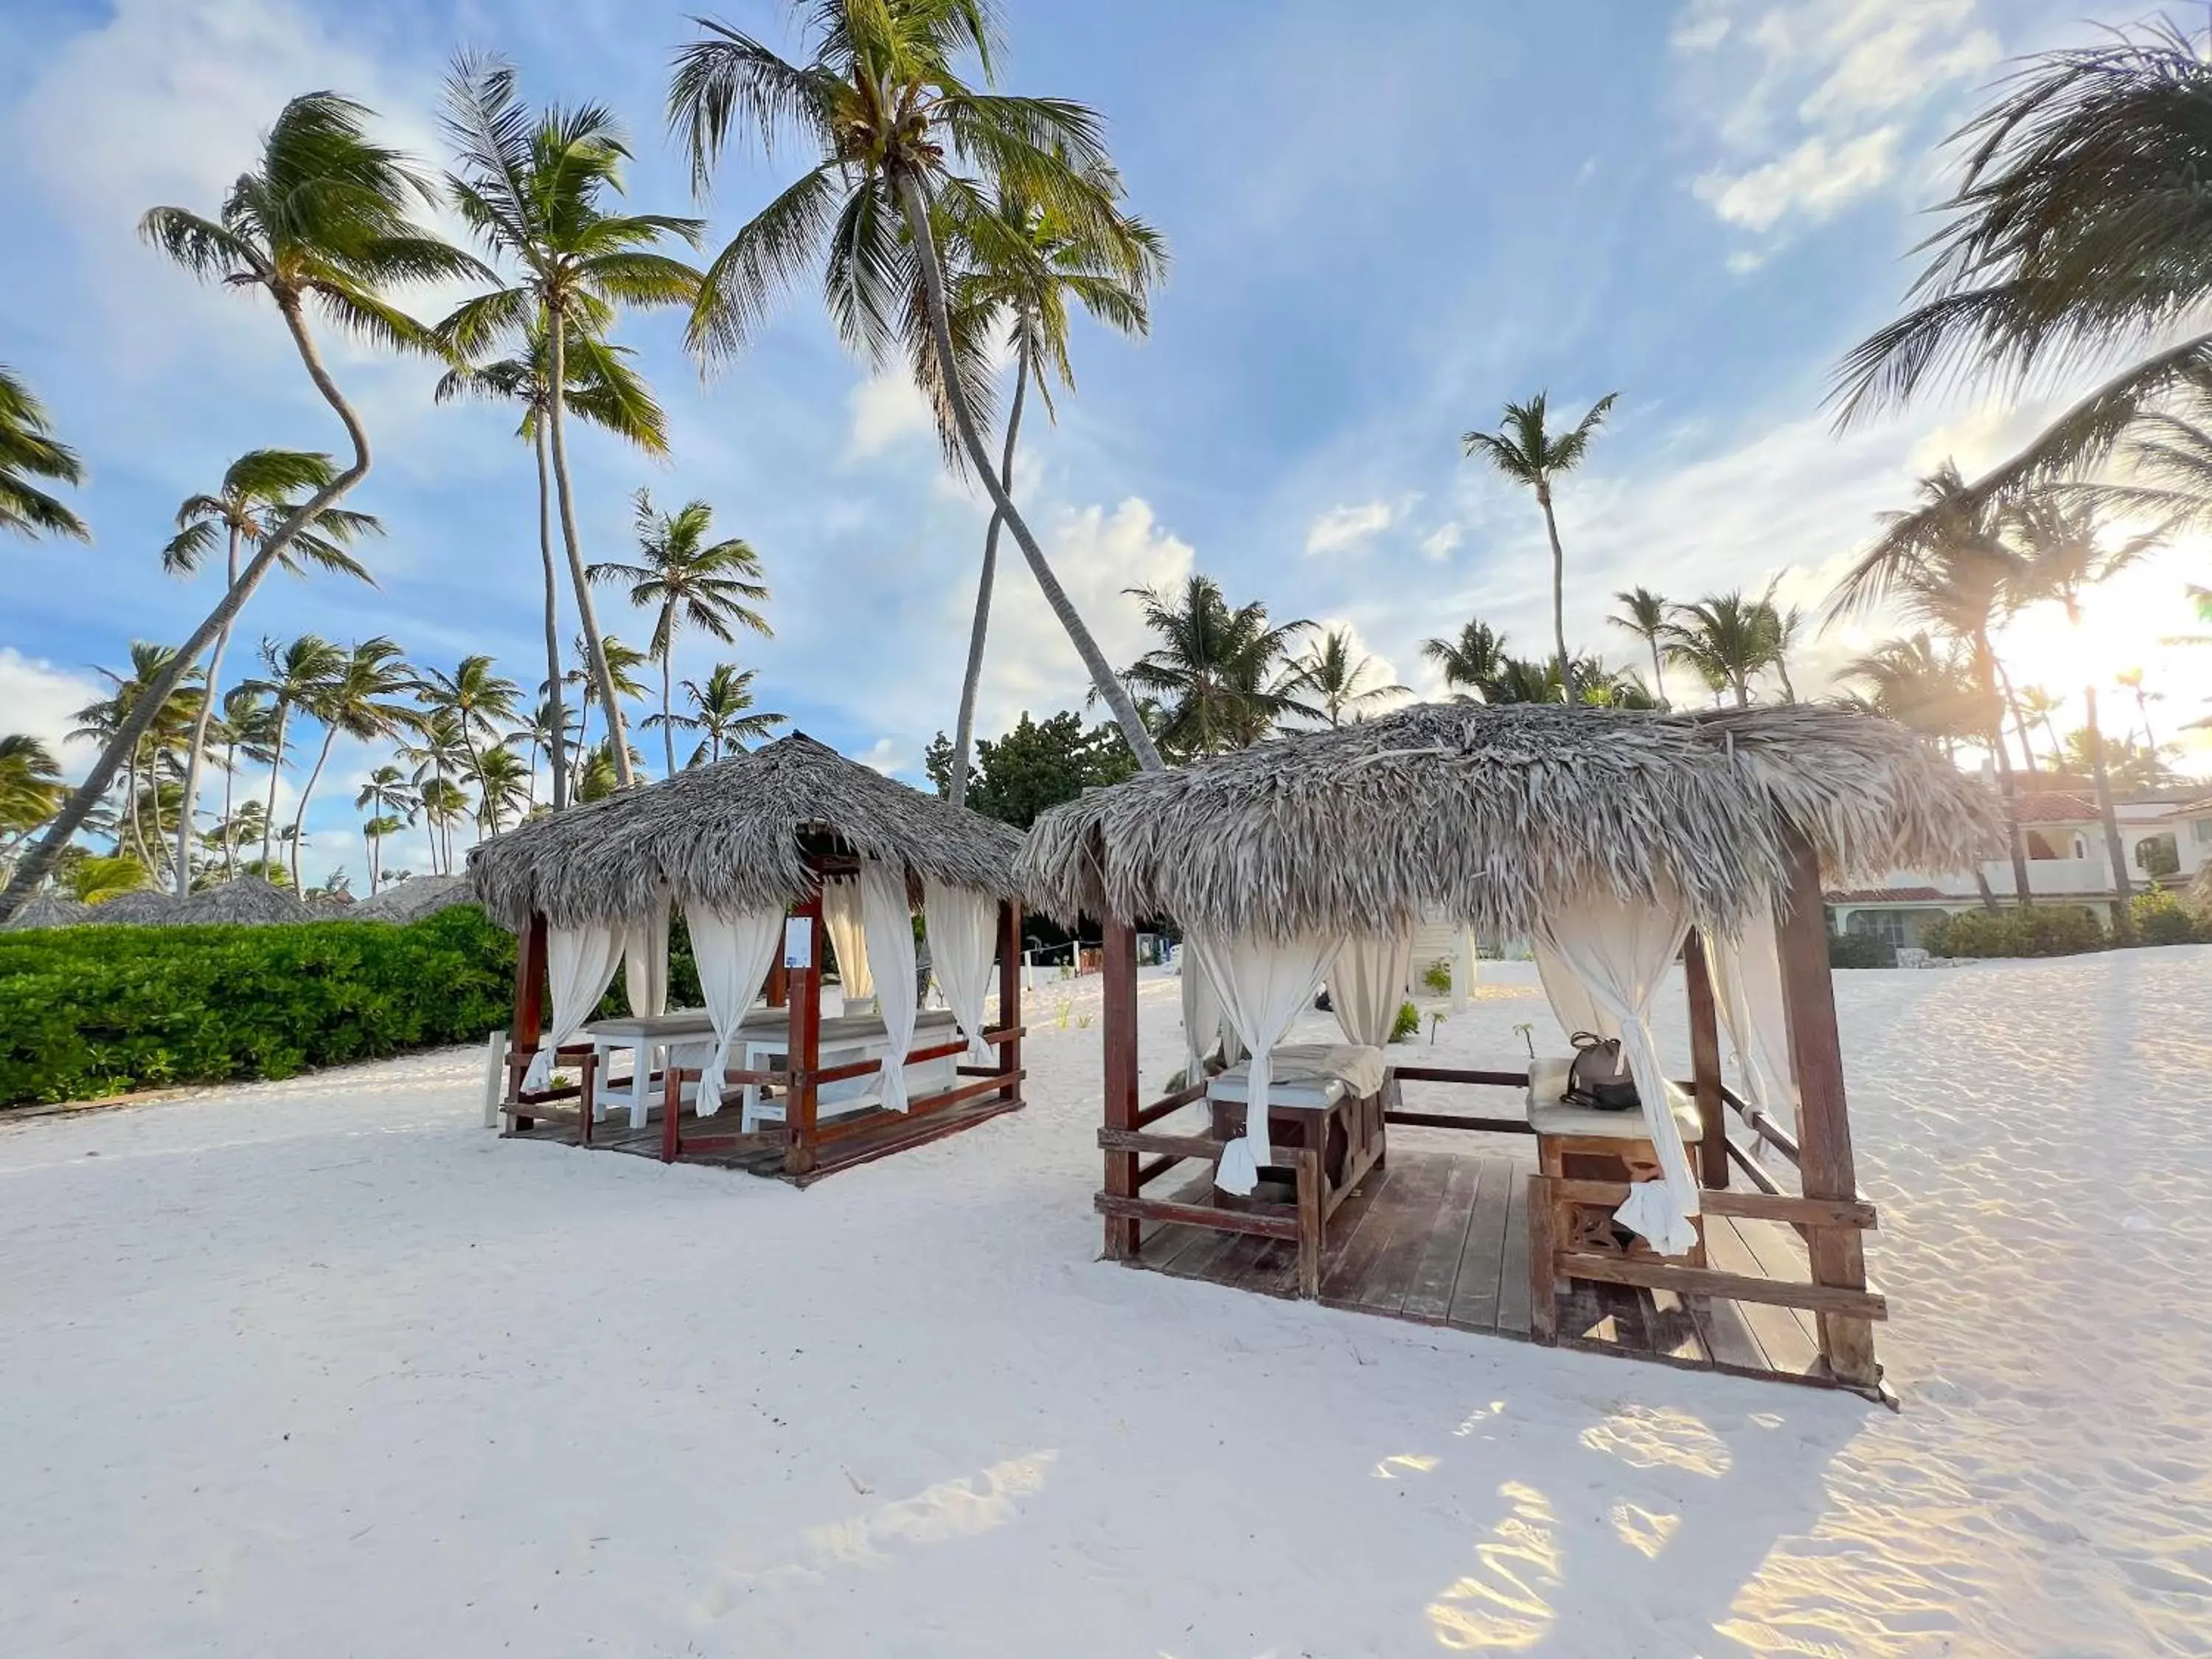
322	1368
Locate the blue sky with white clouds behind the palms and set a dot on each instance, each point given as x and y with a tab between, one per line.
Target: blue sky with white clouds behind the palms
1386	222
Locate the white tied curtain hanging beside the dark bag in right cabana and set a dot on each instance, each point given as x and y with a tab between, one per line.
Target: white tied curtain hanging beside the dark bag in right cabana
1618	954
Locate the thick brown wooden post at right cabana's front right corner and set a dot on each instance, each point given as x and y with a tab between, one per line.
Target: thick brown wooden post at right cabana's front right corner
1824	1123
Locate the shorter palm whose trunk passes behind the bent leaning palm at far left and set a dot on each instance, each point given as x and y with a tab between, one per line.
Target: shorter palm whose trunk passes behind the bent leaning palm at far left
258	494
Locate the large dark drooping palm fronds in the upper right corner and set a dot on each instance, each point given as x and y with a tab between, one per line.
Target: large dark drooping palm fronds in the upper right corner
2069	240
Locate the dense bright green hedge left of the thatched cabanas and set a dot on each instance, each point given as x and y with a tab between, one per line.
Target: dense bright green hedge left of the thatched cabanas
105	1010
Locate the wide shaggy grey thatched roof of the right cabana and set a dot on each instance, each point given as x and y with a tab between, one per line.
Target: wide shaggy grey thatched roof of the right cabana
1503	813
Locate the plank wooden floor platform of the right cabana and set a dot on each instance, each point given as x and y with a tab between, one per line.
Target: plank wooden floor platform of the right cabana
1443	1240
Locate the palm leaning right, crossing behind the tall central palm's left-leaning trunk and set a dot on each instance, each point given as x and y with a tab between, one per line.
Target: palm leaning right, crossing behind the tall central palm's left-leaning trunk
1019	267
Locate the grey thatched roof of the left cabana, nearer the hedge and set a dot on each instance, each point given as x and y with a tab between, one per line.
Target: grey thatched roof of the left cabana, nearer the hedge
729	835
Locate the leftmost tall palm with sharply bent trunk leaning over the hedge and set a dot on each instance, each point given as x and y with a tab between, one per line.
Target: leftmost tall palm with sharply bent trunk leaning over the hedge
324	218
